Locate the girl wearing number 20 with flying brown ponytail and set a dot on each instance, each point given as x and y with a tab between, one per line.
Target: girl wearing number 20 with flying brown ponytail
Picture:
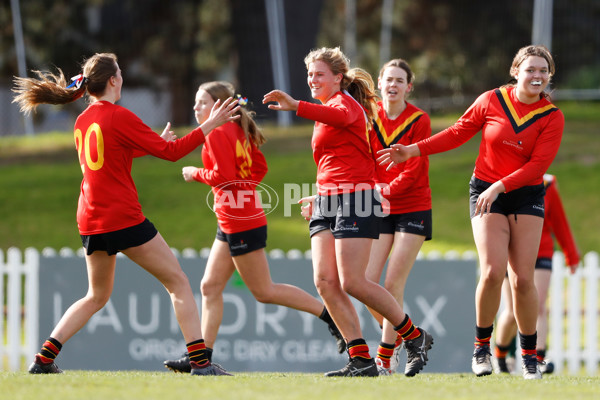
109	216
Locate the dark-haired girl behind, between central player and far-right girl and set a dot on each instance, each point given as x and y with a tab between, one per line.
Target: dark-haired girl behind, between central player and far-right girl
406	189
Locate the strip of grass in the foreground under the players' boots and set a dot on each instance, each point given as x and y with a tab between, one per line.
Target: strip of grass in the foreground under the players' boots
266	386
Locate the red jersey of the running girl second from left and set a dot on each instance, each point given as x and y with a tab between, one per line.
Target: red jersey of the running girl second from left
233	166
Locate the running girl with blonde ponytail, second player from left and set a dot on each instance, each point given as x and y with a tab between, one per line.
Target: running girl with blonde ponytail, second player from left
234	166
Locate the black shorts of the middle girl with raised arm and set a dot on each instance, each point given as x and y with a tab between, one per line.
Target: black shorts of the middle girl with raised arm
347	215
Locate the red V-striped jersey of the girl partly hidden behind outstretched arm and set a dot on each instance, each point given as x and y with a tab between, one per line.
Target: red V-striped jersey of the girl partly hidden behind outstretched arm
409	189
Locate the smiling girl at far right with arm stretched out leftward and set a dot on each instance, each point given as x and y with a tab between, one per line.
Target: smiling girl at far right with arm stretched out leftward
521	132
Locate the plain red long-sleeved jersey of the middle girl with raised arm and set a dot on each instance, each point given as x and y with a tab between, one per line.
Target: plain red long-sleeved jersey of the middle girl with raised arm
340	144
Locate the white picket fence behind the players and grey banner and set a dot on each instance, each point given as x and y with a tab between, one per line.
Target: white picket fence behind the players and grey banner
574	307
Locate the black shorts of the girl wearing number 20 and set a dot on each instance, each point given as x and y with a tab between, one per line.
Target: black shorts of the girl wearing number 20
113	242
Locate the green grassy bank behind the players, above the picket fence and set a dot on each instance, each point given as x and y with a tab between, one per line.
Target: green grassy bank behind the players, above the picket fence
40	179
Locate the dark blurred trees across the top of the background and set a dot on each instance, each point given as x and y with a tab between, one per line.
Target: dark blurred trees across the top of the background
456	48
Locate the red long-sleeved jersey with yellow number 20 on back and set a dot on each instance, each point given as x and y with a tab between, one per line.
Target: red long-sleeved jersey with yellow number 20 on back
107	138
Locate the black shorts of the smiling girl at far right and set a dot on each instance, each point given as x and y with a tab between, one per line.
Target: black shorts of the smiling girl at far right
528	200
